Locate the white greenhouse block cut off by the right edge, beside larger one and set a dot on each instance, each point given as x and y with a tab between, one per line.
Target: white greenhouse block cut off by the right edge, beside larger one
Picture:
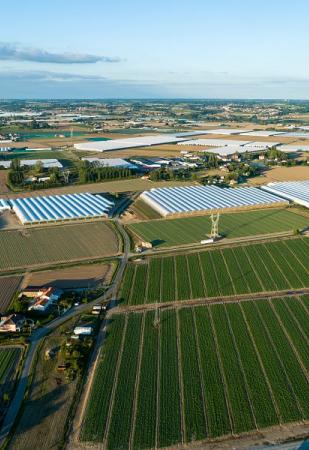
297	191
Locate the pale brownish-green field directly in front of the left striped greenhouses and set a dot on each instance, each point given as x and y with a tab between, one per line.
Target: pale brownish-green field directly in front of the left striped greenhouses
56	244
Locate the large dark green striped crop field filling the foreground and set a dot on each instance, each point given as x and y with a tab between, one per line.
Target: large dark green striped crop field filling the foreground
199	373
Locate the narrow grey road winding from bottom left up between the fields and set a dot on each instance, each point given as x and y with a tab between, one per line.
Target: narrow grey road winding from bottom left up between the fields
39	334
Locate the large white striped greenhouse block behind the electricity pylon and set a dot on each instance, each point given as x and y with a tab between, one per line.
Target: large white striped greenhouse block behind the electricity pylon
190	199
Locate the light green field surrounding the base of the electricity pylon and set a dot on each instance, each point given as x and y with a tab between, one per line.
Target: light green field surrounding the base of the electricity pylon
187	230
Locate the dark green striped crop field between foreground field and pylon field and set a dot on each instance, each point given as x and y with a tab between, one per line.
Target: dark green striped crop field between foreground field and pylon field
280	265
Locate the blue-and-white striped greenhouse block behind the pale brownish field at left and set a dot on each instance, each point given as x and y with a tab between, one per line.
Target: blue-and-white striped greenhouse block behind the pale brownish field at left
53	208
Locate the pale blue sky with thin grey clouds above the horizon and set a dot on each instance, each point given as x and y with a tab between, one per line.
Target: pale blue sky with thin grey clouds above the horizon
154	49
